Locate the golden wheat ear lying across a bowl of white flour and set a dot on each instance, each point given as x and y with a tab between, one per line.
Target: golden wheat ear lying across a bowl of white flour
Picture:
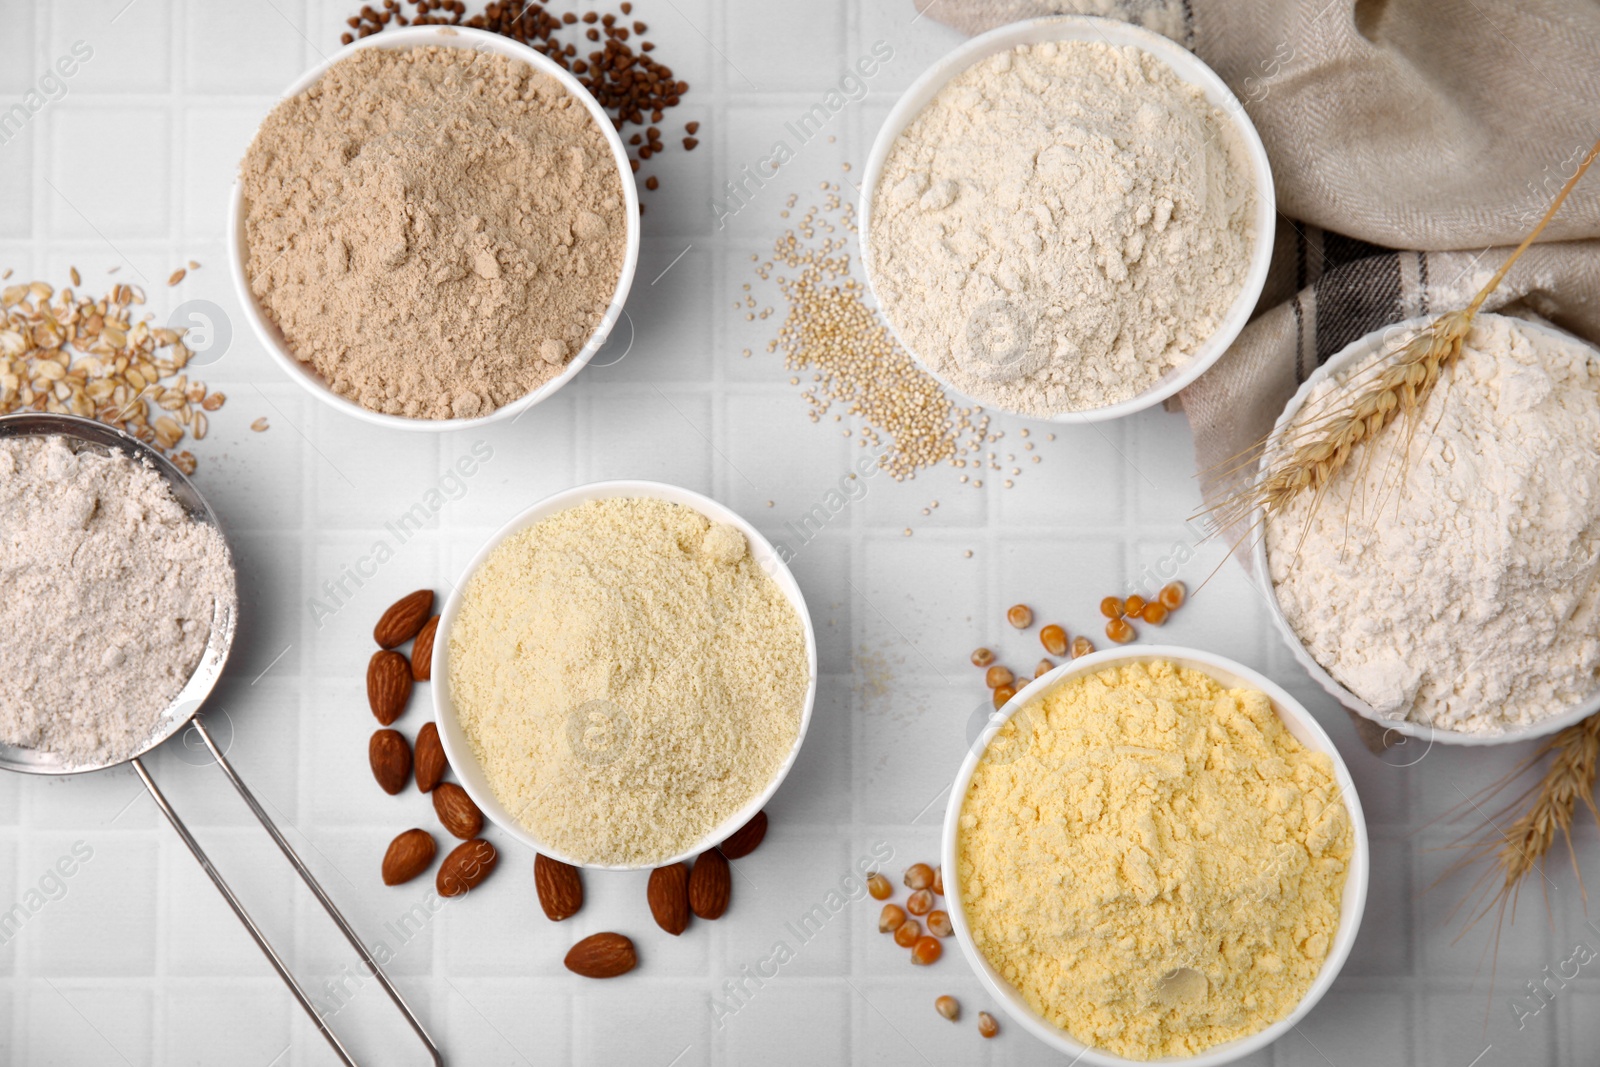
1311	454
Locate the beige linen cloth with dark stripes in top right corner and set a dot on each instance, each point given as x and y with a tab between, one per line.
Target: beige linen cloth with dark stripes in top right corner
1414	143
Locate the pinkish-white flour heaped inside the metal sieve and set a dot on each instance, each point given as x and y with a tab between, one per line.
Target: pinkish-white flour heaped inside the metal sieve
110	593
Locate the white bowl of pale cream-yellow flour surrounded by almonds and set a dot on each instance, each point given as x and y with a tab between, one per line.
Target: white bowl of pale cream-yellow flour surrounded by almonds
625	676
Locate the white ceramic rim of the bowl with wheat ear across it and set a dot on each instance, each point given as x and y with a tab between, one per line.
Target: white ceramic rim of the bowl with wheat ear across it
1353	354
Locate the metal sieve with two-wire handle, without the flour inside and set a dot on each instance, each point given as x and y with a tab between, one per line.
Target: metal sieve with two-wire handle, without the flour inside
86	434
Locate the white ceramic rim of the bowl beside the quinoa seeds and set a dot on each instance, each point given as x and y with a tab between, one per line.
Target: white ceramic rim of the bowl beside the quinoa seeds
1188	70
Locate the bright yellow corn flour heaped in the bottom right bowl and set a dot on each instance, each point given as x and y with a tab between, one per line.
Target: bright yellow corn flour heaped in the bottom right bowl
1154	861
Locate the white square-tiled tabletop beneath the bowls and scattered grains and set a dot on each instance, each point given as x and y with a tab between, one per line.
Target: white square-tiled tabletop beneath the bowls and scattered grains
140	962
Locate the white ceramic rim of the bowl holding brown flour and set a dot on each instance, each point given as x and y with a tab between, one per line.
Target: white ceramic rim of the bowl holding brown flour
444	38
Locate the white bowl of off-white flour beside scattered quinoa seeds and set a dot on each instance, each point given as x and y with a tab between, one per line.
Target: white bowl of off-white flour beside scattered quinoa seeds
1068	218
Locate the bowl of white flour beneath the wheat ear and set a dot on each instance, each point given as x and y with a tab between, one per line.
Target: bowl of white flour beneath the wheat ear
1446	583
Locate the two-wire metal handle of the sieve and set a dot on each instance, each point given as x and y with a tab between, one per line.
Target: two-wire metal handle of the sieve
311	882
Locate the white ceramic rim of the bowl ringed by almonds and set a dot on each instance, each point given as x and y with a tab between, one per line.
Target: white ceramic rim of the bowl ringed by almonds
455	740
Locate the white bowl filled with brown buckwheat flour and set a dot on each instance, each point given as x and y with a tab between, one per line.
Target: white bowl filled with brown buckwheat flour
434	230
